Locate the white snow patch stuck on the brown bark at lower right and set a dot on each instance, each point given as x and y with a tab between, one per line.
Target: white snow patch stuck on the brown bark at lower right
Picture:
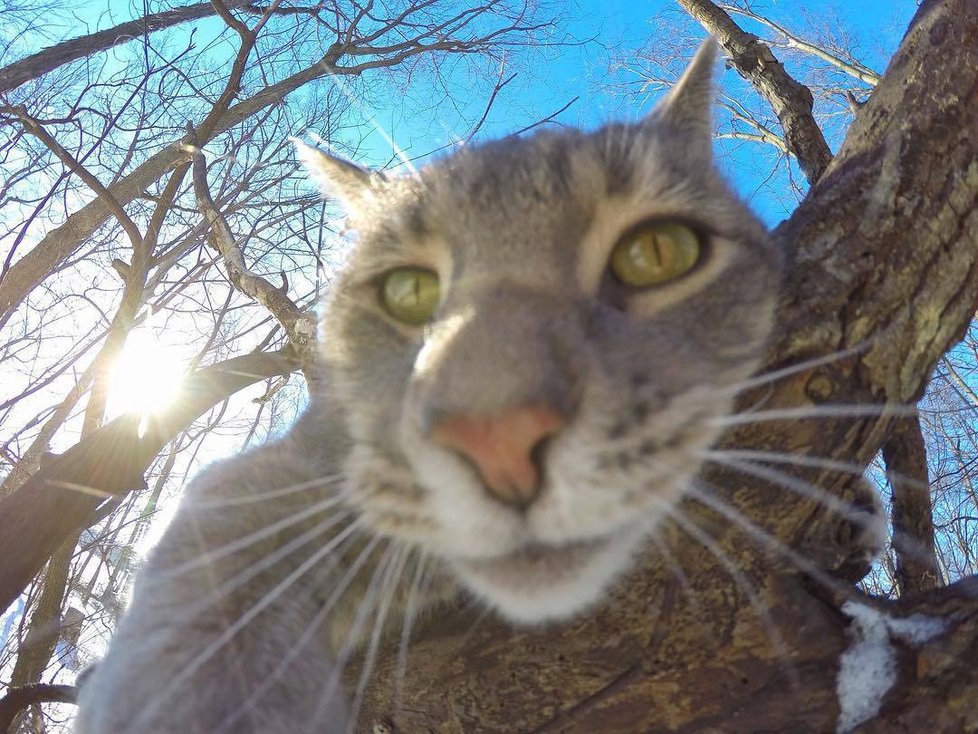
867	670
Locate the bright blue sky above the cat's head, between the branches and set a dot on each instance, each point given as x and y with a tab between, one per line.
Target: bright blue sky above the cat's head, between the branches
597	66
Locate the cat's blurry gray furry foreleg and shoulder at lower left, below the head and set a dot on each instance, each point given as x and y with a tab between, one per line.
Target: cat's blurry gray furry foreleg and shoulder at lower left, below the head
227	630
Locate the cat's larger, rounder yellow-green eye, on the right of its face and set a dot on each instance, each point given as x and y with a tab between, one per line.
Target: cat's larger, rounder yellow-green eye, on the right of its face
655	254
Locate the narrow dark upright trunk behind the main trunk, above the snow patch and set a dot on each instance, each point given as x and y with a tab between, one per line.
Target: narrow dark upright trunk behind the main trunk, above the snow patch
913	524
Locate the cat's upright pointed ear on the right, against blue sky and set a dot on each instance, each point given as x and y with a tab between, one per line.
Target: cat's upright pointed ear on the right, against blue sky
688	108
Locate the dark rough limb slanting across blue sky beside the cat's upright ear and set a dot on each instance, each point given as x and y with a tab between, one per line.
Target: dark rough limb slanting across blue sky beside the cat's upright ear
792	102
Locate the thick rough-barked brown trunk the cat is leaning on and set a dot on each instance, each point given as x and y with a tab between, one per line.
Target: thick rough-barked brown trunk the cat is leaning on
884	258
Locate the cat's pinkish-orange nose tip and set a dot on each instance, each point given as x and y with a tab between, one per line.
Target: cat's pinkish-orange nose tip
504	448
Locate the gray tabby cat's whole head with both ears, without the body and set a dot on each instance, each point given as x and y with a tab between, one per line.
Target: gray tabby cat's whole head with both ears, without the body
532	340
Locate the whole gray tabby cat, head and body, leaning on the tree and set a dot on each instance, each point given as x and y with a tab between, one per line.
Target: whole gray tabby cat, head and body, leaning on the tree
532	342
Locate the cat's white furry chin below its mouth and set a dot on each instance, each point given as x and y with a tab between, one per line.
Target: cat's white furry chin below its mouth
541	583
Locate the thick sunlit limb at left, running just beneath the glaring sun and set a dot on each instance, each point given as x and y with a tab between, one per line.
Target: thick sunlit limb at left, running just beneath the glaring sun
61	496
